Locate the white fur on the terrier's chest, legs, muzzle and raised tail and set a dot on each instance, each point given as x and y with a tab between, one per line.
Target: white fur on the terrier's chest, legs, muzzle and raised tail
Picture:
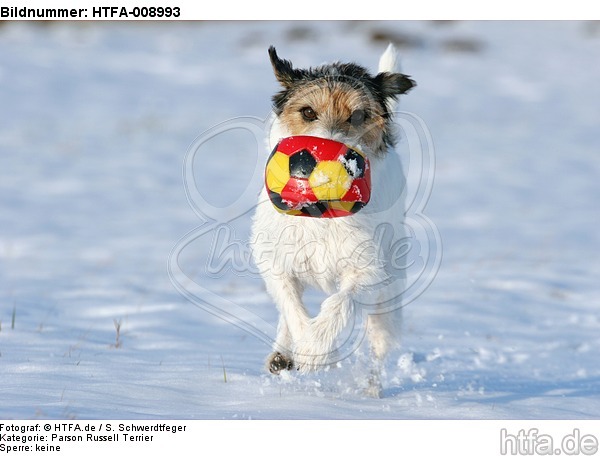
341	256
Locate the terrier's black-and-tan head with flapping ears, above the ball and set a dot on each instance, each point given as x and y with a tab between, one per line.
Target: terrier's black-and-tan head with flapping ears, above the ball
341	101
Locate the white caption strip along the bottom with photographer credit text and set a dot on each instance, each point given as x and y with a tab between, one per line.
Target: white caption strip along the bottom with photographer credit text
361	437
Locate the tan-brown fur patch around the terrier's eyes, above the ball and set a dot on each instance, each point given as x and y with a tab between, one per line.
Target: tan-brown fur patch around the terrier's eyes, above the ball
334	103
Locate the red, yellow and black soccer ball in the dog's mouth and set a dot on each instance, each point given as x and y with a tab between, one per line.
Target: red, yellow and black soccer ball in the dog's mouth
316	177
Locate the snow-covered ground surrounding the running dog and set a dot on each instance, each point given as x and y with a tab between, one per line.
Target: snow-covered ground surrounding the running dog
95	123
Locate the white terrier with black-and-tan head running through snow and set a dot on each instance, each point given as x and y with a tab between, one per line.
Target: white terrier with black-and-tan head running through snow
347	258
